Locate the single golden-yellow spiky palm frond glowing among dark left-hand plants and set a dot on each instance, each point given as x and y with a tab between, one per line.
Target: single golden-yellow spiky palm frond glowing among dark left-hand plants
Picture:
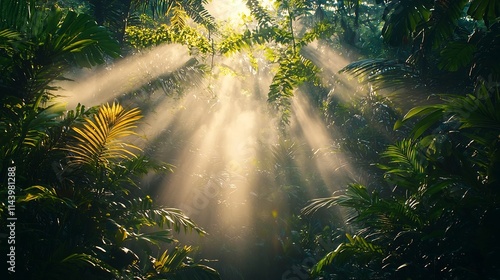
99	140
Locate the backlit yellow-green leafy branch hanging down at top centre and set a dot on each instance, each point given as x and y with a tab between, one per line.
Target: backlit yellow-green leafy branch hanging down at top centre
293	69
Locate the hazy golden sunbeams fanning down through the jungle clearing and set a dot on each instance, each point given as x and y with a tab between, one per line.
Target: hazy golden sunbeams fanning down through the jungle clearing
235	173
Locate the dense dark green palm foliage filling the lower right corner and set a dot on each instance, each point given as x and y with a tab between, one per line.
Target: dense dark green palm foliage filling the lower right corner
436	185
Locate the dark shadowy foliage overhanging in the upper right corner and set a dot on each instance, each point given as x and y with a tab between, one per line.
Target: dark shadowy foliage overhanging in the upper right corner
436	30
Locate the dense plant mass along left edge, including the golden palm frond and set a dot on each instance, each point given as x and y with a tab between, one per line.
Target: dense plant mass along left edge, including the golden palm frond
74	220
